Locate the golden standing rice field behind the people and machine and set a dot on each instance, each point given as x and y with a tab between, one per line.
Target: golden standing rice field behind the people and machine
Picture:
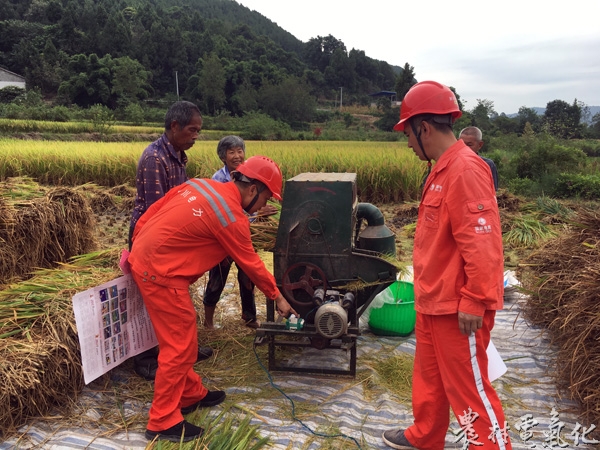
386	171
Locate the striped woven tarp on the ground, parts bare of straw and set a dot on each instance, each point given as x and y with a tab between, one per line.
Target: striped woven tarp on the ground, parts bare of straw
525	389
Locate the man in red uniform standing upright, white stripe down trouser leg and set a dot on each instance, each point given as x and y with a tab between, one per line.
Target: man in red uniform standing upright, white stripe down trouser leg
458	281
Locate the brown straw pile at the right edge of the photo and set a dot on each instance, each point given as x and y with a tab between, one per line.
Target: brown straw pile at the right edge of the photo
563	281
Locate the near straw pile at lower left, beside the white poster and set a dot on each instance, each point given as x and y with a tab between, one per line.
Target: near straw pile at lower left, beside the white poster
39	348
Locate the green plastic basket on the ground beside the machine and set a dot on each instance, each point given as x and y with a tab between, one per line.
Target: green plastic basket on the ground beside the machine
397	315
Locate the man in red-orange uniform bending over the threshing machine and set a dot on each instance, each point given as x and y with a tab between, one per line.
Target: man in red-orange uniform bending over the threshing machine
181	236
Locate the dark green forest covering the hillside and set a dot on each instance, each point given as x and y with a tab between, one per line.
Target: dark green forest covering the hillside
216	53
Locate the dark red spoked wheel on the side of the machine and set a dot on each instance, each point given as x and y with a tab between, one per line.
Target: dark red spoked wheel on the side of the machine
300	281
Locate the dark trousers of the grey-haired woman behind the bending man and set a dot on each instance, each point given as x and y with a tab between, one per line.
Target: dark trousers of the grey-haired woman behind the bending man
217	278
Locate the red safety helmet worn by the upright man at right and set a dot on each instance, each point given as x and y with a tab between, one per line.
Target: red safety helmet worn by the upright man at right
428	97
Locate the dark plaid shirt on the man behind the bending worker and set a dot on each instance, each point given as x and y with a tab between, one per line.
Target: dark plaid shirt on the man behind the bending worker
159	169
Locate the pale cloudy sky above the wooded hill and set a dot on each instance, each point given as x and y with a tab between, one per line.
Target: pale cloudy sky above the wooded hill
512	52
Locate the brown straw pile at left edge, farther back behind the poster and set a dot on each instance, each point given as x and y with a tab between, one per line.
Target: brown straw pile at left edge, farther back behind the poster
41	227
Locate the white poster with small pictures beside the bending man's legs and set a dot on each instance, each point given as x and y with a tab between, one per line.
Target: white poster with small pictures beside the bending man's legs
113	325
